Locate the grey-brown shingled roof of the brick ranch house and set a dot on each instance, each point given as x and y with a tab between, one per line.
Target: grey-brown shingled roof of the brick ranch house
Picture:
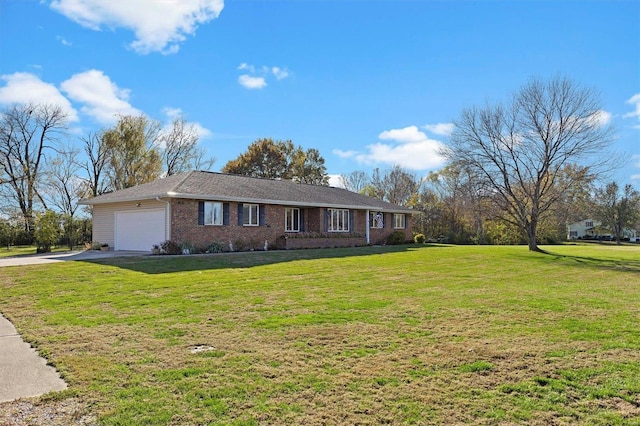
224	187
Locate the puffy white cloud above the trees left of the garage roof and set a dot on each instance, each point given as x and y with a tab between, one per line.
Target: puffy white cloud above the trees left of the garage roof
102	99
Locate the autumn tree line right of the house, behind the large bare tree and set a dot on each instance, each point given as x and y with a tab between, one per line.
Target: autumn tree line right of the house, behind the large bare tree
454	206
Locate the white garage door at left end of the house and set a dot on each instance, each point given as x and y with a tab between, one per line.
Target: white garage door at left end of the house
139	230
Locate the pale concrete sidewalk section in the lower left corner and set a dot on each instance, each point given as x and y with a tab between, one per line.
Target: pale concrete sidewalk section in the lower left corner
23	373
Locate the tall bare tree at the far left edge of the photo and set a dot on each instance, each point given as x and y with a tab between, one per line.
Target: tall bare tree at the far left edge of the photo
28	132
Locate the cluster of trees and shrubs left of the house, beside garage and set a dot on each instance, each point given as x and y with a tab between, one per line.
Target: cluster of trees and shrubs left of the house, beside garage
42	171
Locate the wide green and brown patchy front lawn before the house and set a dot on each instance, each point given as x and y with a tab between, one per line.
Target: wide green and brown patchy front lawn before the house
377	335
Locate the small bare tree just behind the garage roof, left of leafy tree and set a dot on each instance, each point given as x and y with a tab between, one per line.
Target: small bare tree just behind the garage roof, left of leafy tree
181	152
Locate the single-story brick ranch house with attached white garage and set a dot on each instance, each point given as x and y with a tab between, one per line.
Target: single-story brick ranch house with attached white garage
241	212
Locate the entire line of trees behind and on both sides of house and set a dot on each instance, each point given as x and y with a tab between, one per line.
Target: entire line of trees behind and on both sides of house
517	172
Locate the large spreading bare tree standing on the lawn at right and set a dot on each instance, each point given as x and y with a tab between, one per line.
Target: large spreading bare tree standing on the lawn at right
520	149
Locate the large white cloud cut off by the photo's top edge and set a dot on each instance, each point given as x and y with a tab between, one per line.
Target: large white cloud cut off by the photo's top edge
159	26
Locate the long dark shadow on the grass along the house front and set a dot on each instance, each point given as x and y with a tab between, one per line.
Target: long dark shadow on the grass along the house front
184	263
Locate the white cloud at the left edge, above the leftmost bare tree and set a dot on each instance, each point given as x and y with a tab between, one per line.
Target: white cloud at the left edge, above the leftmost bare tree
25	87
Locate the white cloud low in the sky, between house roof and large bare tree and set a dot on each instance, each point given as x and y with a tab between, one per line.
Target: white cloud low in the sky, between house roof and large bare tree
409	148
